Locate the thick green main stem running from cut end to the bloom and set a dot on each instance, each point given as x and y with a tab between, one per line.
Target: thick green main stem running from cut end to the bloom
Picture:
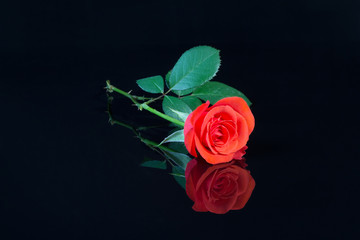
141	106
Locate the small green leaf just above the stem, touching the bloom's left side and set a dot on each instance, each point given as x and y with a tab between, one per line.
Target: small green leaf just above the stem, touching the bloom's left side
176	108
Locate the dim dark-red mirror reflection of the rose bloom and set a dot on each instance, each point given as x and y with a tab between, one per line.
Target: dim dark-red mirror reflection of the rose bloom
218	188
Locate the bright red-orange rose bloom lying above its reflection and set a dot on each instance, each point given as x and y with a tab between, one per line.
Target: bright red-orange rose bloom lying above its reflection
219	133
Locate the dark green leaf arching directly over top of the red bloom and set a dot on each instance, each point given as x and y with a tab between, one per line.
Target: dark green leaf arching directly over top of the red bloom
214	91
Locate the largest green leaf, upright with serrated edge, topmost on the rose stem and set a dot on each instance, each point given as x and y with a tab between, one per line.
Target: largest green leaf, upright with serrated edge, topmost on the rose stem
195	67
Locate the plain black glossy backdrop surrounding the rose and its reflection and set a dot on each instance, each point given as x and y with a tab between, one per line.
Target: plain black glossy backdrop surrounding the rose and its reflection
66	173
